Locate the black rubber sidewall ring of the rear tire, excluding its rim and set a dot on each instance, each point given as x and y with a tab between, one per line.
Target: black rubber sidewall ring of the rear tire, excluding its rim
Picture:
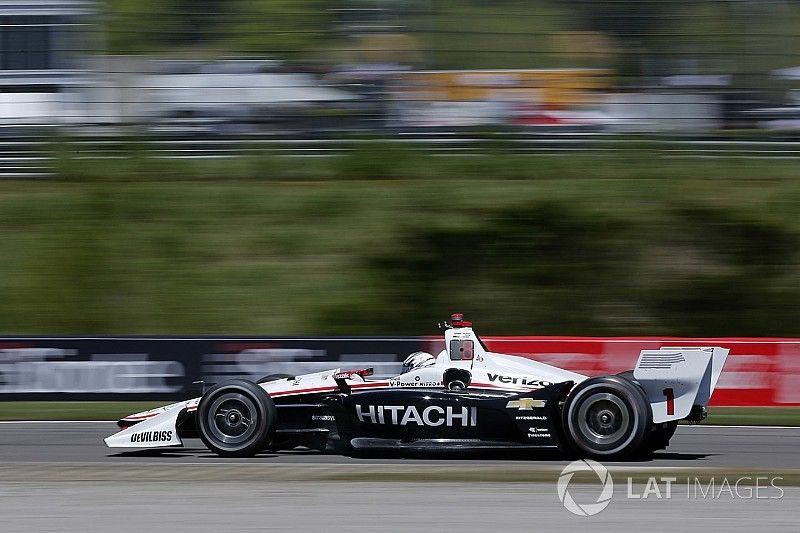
638	412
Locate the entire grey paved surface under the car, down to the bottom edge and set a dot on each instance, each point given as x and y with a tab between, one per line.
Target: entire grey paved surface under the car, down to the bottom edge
60	477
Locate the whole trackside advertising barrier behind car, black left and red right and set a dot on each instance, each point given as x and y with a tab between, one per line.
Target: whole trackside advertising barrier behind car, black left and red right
759	372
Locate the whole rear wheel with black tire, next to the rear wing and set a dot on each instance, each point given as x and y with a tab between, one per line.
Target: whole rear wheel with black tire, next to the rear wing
607	418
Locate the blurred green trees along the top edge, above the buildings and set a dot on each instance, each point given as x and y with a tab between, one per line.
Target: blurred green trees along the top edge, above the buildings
637	39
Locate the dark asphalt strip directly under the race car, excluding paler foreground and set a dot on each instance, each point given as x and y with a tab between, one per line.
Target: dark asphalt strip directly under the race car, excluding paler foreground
691	447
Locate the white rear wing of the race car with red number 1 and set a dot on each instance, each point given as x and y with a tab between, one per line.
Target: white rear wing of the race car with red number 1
679	382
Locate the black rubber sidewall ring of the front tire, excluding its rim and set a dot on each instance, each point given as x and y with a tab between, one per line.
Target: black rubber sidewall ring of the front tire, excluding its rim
265	424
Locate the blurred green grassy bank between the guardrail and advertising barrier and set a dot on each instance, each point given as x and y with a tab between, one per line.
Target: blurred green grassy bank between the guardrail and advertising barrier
386	240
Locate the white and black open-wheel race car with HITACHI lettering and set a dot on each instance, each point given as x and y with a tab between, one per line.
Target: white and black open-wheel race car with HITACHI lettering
466	397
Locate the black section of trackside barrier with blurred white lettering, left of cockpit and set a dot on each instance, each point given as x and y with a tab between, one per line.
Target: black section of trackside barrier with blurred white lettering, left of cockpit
150	368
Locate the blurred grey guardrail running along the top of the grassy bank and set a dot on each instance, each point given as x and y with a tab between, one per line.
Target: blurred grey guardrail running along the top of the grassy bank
30	157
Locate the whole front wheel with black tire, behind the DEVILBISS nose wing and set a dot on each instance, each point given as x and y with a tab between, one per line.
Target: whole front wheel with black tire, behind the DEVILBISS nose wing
236	418
